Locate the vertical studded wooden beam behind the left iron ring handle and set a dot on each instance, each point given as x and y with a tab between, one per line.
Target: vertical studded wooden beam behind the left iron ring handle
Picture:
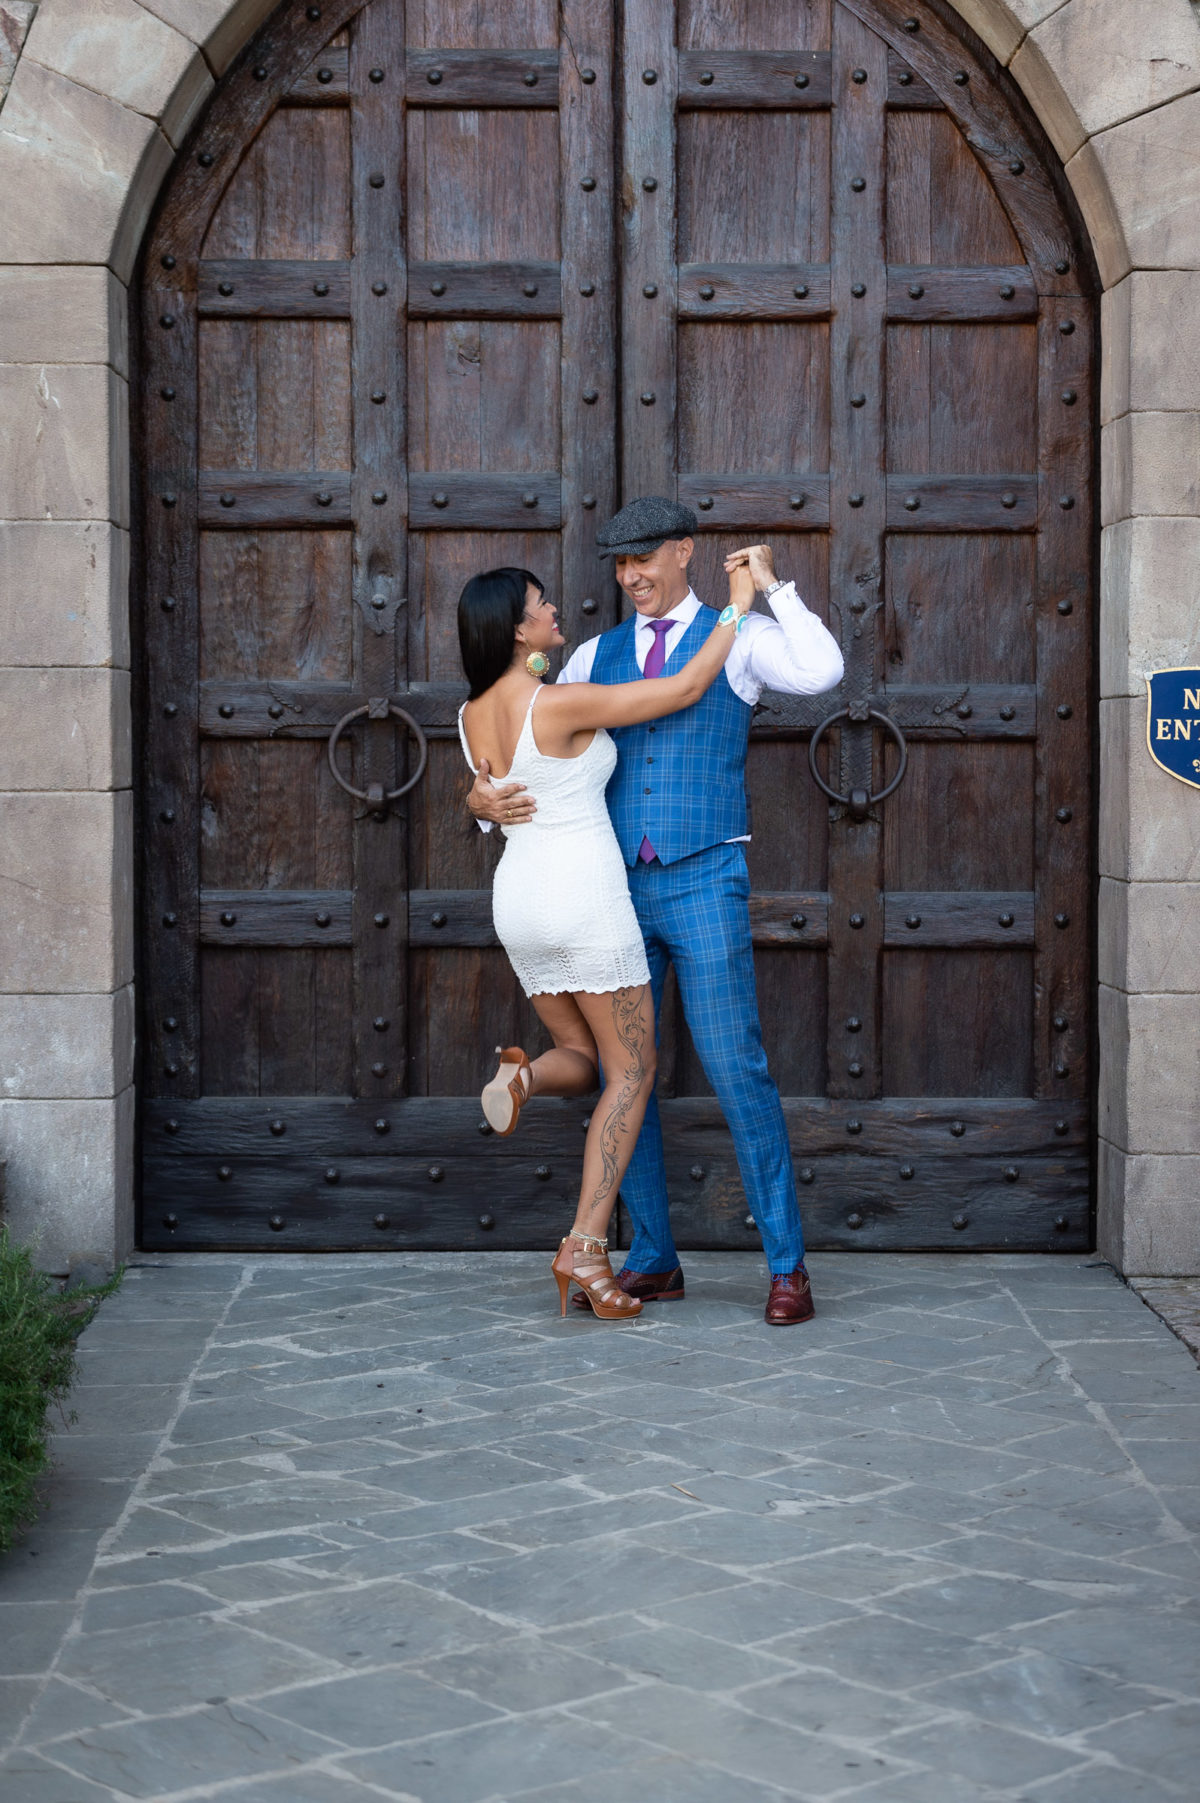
379	502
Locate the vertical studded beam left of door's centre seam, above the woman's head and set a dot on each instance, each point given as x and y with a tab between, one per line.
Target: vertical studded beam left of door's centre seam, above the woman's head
588	311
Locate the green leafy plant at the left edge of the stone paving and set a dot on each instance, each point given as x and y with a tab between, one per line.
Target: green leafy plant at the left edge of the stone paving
39	1332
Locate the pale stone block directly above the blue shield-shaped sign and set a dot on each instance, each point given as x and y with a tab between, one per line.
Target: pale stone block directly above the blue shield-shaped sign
1150	599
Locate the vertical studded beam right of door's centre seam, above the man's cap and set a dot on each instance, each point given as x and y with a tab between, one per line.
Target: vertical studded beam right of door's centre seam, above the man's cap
648	201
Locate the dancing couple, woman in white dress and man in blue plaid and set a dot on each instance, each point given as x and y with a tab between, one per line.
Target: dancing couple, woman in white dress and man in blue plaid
623	803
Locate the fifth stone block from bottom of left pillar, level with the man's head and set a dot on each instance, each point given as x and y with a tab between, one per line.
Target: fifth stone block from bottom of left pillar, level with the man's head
64	592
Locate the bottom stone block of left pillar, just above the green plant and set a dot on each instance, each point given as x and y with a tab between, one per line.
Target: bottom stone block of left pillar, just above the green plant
71	1178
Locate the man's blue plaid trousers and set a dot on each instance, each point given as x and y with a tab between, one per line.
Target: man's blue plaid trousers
695	915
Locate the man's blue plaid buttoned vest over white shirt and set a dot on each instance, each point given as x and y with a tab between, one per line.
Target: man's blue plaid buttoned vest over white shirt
680	782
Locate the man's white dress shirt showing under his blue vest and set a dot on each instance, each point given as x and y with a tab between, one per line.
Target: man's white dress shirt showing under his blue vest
792	654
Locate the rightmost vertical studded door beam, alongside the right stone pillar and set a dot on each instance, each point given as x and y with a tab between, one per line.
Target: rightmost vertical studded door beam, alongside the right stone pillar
1064	765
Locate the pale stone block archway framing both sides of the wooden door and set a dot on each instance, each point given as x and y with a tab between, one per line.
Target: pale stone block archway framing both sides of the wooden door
100	100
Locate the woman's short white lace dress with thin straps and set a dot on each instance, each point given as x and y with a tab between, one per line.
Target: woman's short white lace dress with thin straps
559	897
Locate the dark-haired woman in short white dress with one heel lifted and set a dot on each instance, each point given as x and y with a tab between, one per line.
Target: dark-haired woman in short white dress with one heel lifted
559	897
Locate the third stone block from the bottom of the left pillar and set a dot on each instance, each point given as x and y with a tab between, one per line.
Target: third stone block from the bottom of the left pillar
66	893
